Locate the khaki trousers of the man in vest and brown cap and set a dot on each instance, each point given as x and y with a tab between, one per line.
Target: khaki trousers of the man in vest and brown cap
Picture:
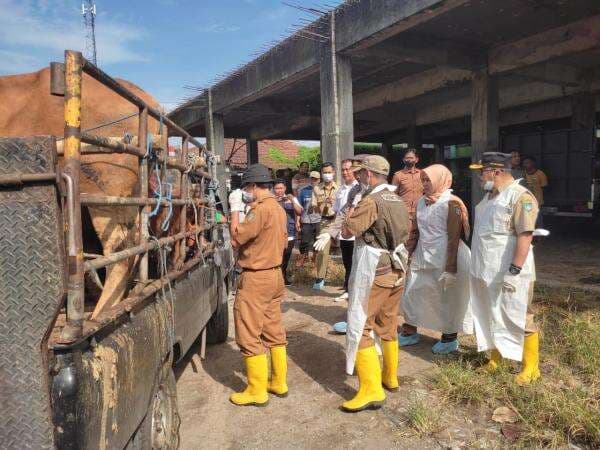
382	312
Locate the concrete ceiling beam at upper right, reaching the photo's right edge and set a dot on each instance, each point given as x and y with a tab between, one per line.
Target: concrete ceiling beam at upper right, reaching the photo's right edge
574	37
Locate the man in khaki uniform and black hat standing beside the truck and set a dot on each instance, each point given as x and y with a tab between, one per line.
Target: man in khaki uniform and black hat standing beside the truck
260	241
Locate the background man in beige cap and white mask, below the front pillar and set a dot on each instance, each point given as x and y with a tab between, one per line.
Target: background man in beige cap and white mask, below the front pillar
323	199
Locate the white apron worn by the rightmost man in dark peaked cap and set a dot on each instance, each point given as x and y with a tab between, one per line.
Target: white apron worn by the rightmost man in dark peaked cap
499	317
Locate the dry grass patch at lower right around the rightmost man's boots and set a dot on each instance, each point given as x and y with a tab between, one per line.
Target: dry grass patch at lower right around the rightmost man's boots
564	406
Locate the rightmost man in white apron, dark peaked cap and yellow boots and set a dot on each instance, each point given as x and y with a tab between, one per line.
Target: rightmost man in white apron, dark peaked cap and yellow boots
502	268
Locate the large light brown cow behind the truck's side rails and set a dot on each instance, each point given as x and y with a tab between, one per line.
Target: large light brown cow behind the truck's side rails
27	108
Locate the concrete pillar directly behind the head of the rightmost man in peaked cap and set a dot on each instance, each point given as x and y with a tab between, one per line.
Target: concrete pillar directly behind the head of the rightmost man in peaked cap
484	123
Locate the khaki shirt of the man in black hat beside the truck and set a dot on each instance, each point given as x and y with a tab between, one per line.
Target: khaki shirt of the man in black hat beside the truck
263	234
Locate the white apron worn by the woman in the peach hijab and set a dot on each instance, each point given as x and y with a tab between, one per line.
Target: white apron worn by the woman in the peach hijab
425	303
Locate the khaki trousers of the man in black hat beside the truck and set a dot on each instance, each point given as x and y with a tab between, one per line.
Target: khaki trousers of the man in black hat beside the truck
257	311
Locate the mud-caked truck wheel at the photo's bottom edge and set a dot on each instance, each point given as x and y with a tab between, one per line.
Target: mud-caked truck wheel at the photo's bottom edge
160	428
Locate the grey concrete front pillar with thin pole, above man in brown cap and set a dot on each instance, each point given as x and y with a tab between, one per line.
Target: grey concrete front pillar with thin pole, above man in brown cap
337	128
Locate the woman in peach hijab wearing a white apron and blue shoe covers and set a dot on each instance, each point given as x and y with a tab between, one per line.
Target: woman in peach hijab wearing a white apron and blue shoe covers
436	295
